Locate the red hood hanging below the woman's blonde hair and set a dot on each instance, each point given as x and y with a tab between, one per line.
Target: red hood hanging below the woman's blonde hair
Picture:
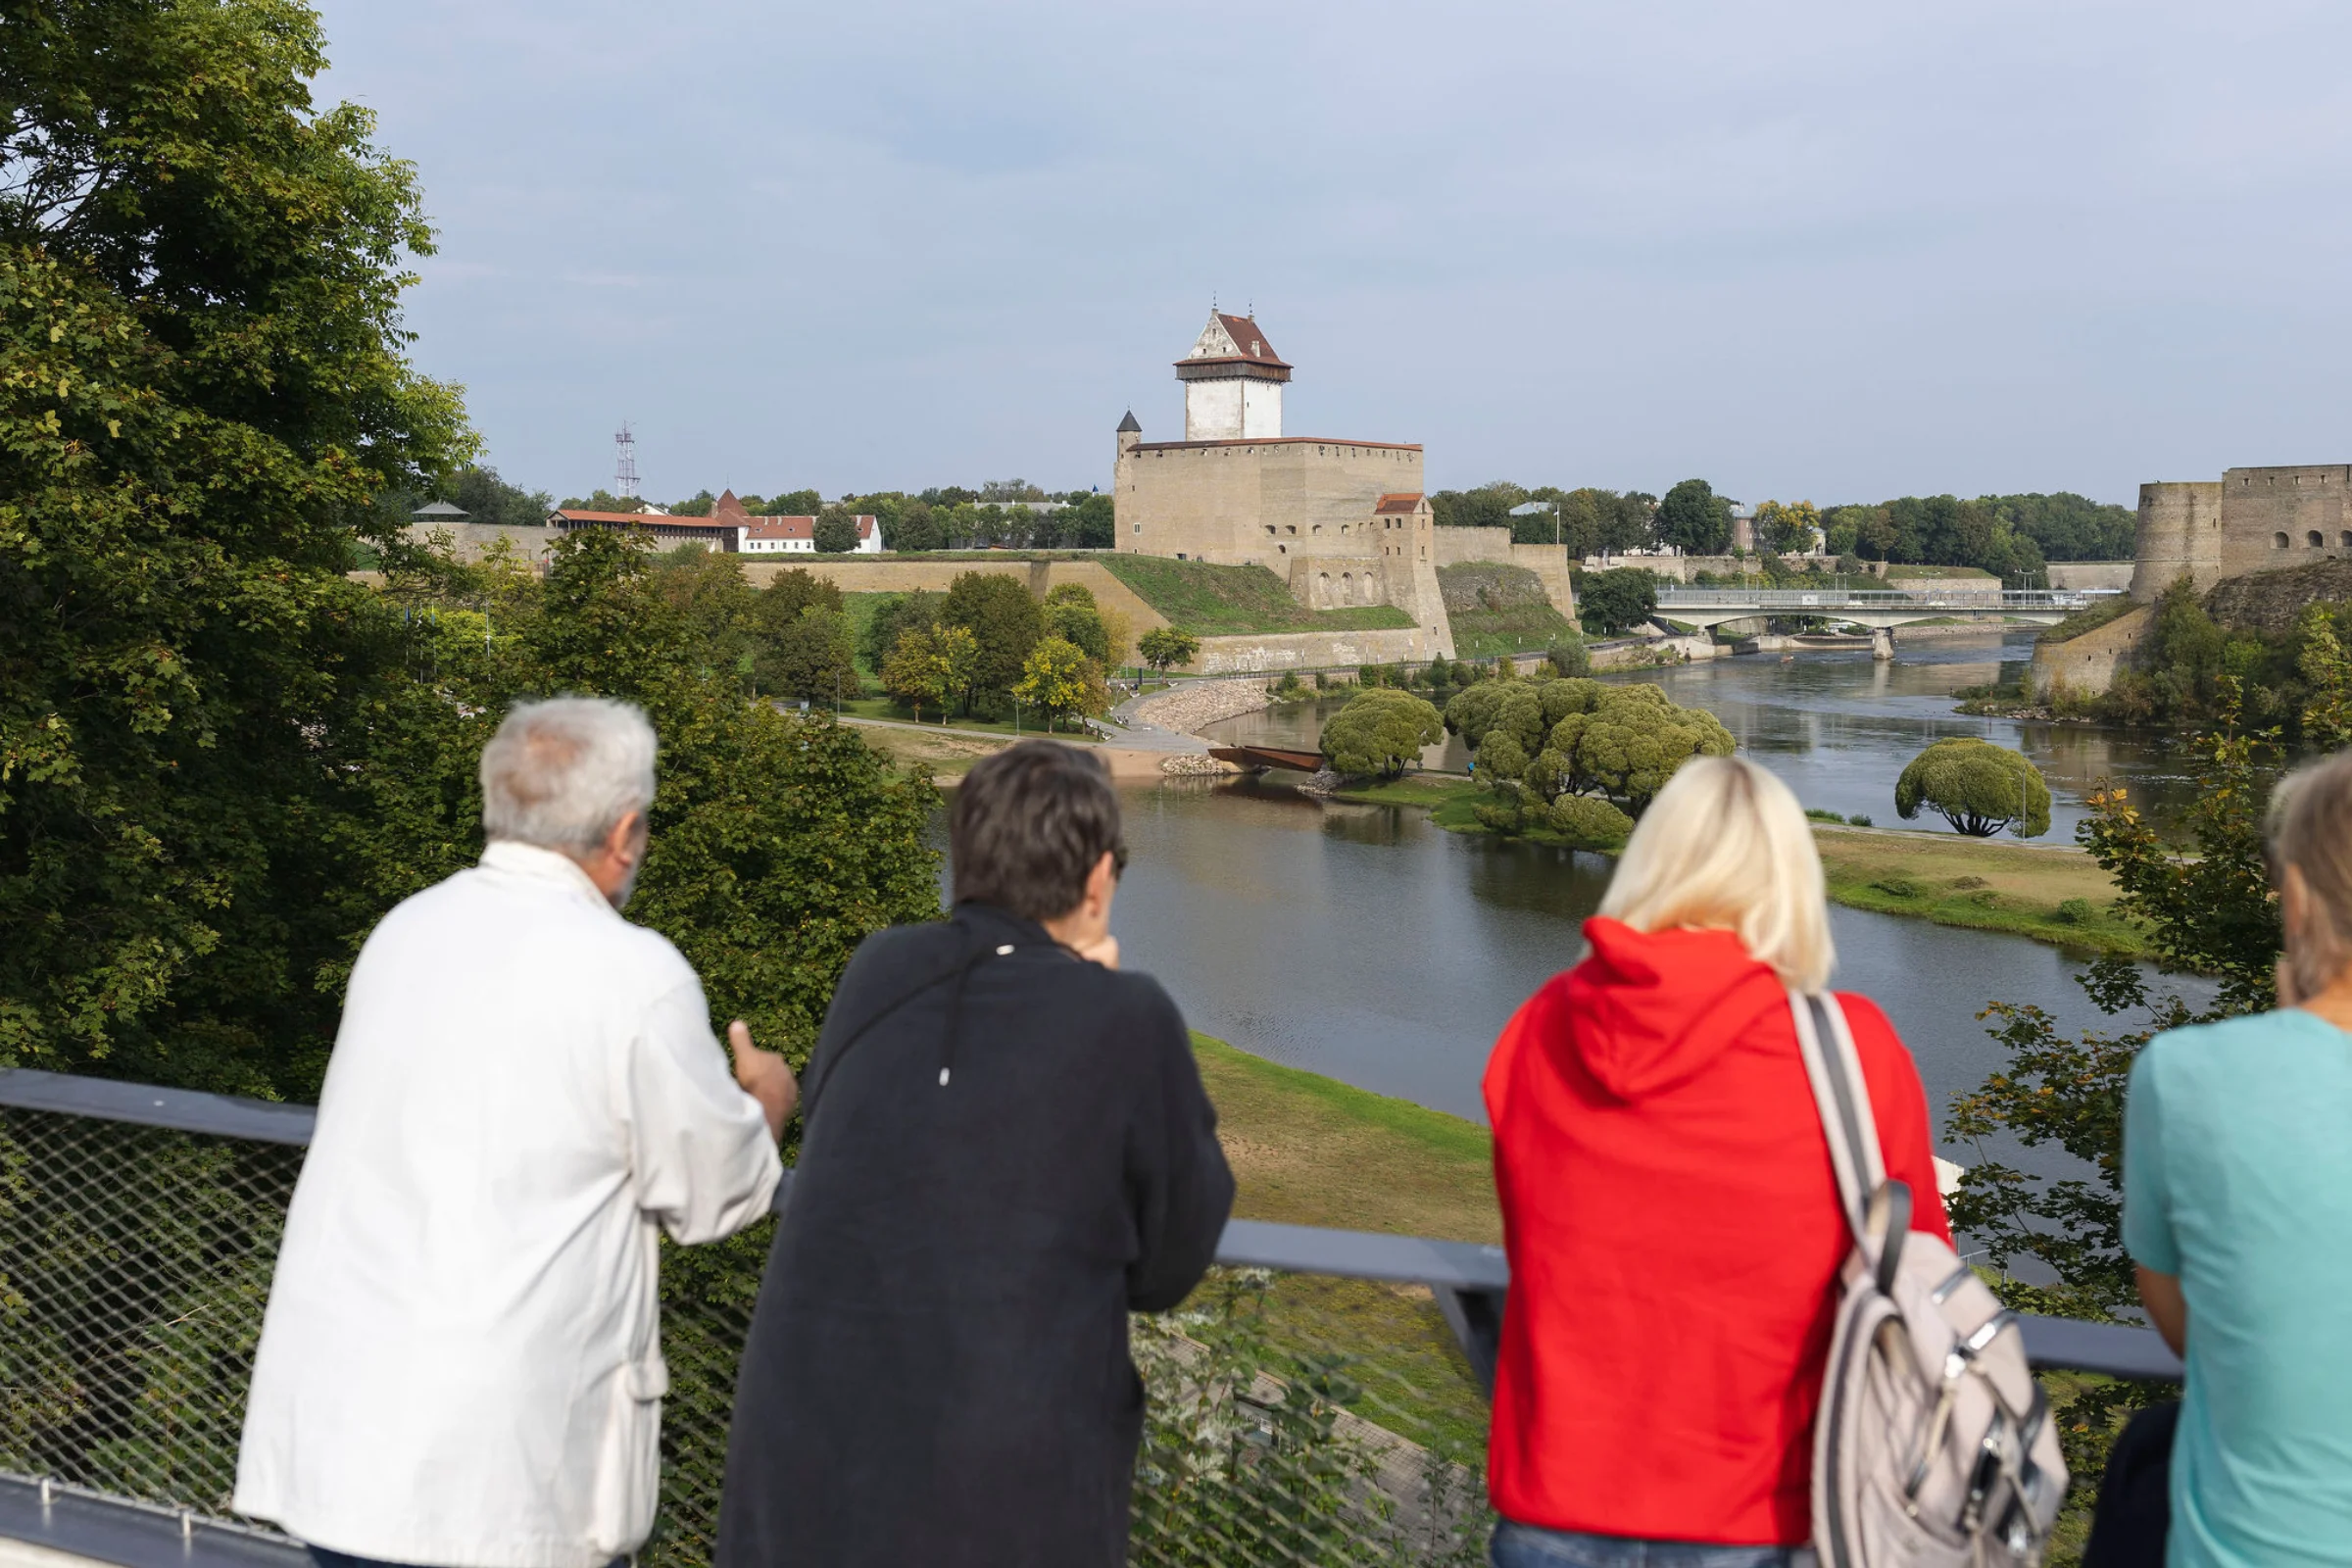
1648	1010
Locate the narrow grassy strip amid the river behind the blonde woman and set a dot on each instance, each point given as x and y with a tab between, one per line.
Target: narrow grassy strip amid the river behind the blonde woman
2045	892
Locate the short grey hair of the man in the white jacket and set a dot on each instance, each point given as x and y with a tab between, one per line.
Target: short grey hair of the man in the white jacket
561	775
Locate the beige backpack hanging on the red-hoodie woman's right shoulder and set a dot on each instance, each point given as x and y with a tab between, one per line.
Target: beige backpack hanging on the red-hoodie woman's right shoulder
1935	1442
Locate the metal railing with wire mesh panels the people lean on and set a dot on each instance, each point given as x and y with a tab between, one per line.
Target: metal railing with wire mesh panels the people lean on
1321	1400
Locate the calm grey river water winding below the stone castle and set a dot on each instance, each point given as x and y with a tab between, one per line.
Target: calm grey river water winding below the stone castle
1377	949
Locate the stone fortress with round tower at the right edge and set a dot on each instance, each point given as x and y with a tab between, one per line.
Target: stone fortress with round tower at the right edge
2252	521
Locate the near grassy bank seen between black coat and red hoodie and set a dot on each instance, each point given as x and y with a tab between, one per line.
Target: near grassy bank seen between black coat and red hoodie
1311	1151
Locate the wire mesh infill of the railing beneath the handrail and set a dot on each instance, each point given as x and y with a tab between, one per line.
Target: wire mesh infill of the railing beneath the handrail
1292	1419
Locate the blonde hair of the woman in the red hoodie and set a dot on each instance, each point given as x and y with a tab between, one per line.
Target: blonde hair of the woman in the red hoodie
1725	847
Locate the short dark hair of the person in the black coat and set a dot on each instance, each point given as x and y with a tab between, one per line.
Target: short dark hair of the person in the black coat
1029	829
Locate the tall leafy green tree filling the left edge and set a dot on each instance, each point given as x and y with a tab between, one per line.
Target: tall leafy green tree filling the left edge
203	391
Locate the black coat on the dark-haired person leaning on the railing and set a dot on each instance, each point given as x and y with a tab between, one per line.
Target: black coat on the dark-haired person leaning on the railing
1008	1148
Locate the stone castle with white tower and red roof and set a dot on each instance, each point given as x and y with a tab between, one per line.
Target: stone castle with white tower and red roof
1342	523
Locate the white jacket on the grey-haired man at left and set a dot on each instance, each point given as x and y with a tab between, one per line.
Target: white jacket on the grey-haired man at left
462	1360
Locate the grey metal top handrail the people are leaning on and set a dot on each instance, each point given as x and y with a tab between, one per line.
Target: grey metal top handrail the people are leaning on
1471	1280
